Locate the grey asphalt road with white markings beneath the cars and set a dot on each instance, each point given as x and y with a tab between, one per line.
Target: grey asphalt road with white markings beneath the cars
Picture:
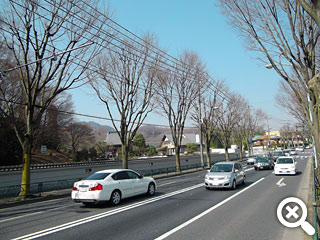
181	209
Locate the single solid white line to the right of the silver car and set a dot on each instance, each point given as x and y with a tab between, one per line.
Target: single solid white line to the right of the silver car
205	212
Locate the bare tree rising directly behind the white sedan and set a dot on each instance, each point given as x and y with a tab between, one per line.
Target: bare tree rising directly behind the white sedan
125	80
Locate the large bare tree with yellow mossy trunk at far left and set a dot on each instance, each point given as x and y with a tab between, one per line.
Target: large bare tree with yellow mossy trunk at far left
51	45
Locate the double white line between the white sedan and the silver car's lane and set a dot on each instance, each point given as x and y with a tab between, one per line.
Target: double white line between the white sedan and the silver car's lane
103	215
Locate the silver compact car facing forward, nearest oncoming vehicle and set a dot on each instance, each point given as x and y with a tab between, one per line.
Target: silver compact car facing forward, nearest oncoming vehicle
225	175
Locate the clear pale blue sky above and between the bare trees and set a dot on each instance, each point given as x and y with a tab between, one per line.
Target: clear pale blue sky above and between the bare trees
198	26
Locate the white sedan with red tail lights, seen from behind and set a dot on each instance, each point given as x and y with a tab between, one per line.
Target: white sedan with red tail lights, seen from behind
112	185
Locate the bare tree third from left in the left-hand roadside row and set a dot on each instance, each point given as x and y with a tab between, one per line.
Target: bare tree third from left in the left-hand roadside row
176	93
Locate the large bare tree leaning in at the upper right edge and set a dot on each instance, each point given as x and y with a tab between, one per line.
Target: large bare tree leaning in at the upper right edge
286	34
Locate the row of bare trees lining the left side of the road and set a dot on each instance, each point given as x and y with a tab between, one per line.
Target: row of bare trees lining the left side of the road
53	46
